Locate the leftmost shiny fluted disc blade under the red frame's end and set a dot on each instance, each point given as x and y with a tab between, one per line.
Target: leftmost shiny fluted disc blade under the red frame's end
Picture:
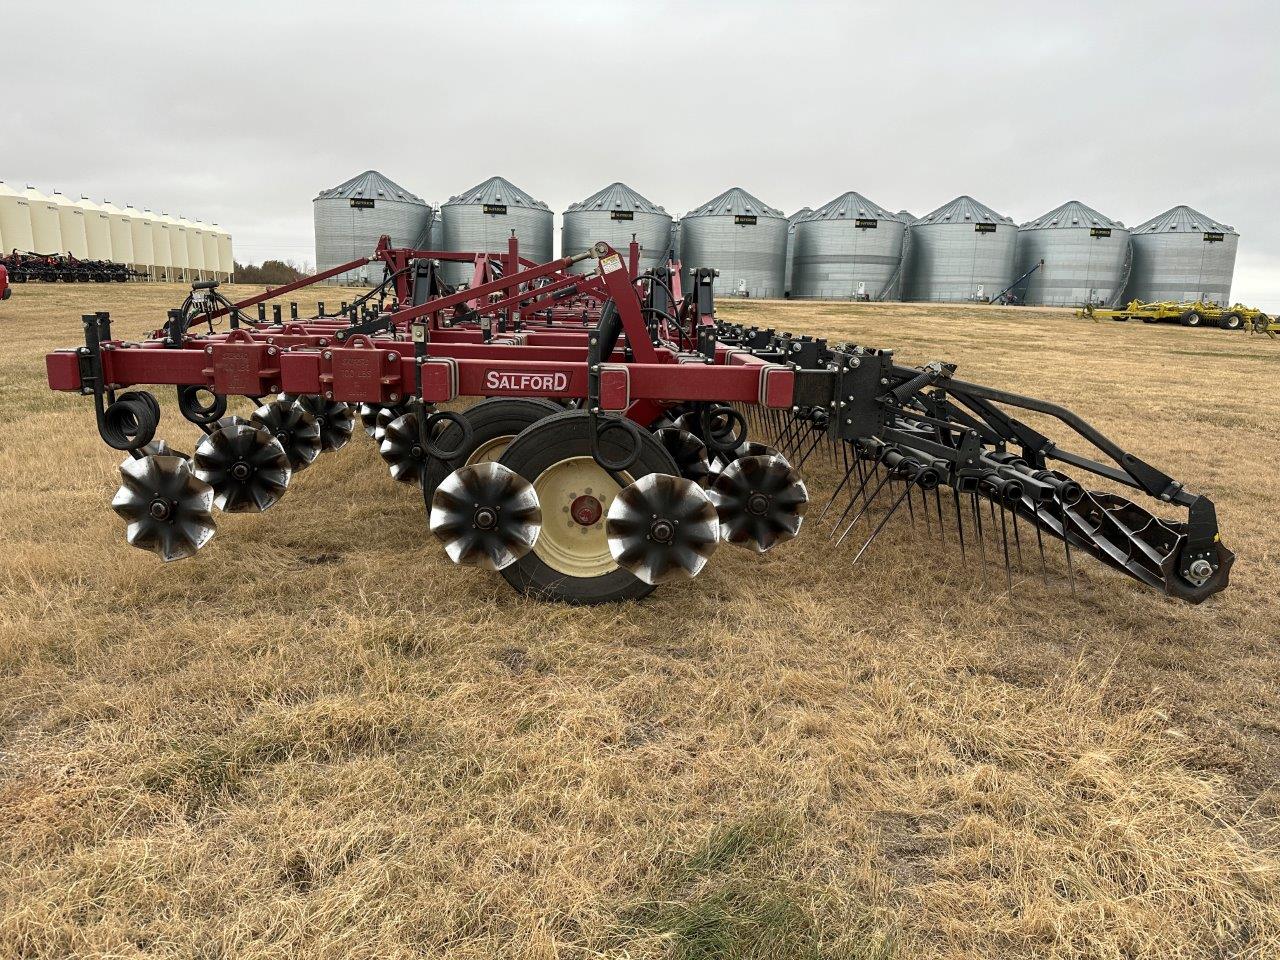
167	508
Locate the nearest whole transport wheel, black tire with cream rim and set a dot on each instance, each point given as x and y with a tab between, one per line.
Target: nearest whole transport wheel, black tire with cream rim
572	561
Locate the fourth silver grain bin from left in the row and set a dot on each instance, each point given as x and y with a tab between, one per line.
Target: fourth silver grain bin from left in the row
743	239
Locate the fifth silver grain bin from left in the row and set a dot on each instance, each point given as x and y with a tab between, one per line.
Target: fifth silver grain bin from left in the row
849	249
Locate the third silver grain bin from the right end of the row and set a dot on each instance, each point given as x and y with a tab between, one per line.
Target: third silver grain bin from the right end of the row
962	252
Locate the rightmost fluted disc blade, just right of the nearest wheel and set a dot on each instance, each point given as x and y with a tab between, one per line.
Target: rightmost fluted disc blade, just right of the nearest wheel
761	502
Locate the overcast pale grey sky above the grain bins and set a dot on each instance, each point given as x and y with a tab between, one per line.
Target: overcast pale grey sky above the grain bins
240	113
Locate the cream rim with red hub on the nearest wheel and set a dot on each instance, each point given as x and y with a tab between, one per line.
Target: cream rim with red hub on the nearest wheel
566	546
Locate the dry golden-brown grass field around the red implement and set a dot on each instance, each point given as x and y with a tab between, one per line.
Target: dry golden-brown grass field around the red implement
322	739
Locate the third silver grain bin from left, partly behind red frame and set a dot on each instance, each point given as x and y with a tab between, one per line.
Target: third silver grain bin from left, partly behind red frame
614	216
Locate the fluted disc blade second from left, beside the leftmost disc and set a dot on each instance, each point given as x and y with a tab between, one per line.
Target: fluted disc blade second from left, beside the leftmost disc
246	467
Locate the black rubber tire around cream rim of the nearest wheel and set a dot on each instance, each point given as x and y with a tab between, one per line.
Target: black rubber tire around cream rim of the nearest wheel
555	441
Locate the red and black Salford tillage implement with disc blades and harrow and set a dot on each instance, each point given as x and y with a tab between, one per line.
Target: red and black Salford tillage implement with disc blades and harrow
619	433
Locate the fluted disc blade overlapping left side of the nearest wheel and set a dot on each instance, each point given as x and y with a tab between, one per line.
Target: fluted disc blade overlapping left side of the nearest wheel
486	515
